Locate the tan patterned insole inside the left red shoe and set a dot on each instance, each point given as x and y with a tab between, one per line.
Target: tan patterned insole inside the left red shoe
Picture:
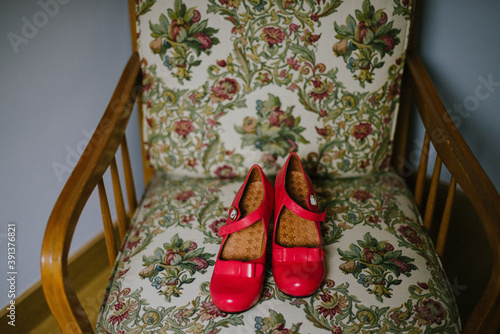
249	243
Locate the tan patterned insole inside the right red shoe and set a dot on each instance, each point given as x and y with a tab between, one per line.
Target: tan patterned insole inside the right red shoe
293	230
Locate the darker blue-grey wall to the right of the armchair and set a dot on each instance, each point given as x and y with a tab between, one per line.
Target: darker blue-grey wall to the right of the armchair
460	46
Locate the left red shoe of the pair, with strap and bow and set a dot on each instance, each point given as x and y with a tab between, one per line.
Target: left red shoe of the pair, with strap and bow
238	276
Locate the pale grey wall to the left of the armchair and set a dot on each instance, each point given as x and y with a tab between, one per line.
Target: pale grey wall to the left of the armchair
54	89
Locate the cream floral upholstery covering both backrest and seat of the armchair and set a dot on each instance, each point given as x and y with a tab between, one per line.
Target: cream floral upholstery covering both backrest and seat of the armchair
231	83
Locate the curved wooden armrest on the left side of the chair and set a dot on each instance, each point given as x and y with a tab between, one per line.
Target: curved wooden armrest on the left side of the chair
88	172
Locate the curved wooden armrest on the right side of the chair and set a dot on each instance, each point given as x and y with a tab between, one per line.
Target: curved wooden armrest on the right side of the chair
466	170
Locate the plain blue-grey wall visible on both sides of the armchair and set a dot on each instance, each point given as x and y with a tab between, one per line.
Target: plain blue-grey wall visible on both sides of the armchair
55	88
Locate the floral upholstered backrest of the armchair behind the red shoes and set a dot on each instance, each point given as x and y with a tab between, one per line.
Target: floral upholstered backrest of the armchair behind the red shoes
230	83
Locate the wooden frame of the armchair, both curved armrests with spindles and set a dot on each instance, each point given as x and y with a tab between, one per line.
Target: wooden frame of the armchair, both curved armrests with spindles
99	155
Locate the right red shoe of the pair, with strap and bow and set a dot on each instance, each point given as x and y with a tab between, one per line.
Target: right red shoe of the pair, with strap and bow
298	258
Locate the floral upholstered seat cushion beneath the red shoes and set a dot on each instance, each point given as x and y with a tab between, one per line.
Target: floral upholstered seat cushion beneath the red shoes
383	274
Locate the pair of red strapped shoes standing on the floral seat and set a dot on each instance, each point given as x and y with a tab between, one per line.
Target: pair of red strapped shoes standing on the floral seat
298	258
